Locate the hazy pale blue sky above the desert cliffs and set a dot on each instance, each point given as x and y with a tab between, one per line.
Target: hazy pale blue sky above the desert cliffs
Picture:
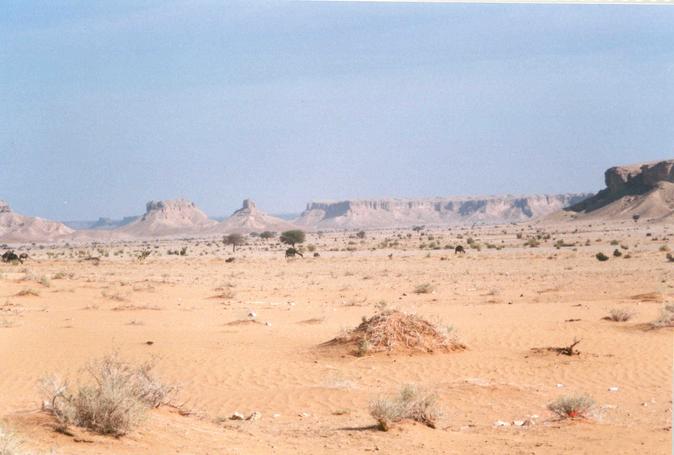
105	105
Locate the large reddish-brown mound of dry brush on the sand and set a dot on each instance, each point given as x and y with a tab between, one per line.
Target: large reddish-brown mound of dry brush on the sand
393	330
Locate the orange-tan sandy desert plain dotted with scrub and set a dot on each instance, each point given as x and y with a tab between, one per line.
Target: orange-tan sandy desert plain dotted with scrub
501	302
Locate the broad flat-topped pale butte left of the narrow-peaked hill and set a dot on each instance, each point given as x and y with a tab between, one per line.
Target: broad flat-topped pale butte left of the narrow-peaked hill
168	218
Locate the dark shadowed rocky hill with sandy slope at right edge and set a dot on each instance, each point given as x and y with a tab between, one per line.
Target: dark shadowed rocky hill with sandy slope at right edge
634	191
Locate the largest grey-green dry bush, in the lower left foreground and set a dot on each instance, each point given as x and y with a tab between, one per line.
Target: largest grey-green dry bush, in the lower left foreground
113	401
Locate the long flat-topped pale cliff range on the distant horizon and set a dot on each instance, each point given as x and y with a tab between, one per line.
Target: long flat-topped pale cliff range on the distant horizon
384	213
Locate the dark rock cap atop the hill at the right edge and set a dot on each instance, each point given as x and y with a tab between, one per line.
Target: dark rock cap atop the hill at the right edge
638	178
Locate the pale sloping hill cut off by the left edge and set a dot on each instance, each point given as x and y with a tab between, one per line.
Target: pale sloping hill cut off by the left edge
16	228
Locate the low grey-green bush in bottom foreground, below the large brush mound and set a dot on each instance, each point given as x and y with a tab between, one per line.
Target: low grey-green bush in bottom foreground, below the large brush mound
411	403
